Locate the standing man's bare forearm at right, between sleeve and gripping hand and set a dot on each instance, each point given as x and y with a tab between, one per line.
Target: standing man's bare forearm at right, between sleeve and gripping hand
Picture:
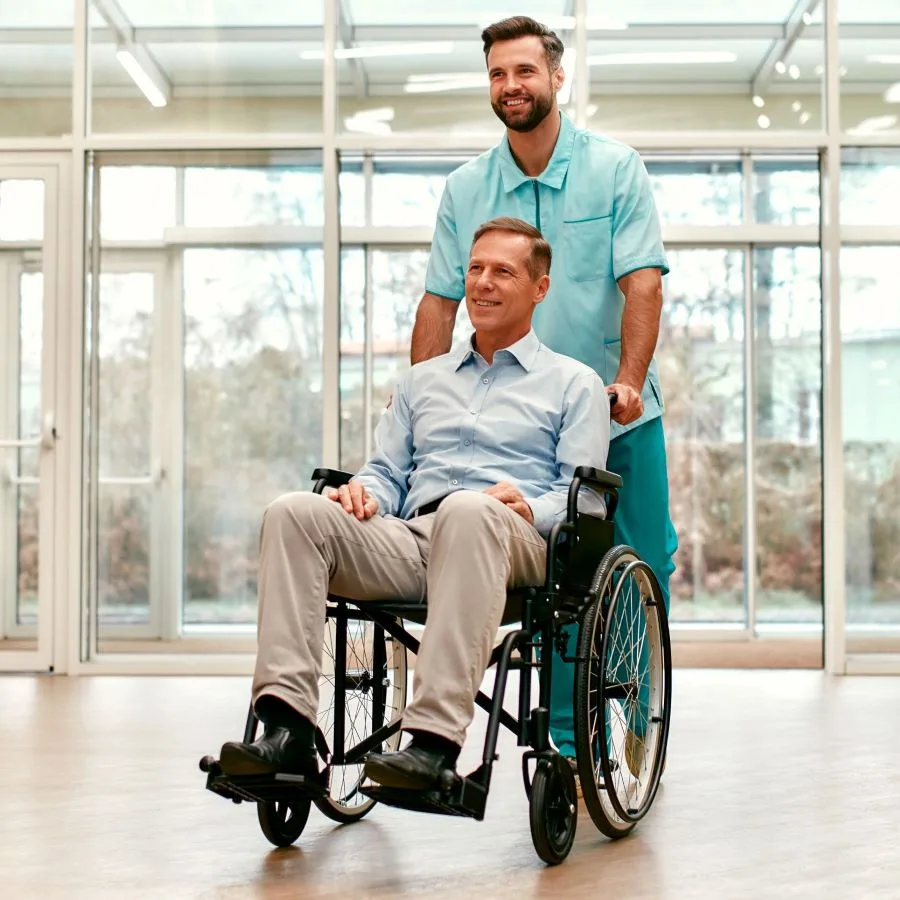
640	325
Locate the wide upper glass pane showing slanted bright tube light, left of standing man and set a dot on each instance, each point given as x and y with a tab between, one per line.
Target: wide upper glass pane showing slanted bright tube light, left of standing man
216	66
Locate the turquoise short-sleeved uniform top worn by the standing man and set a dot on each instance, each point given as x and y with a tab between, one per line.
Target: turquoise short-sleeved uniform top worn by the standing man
594	205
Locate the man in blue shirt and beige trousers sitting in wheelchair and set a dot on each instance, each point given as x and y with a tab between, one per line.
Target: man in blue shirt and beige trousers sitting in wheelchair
472	464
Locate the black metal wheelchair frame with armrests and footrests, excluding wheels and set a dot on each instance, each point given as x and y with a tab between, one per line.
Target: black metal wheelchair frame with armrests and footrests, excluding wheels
568	590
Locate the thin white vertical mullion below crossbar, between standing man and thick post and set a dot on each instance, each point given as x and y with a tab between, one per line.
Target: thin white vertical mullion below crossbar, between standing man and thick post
750	518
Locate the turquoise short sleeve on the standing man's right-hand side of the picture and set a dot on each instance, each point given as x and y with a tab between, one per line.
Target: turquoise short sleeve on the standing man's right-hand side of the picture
637	239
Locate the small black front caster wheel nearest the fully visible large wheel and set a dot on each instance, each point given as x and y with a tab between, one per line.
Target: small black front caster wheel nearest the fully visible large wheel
553	811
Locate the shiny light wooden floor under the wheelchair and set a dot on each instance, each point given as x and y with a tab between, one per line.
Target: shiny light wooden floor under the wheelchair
779	785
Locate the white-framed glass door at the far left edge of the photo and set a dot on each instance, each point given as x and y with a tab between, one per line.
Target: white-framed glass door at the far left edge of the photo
28	255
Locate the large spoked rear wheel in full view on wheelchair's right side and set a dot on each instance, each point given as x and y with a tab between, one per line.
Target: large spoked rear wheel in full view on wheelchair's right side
623	692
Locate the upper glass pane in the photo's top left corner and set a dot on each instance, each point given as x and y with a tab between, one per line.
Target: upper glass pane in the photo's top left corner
36	69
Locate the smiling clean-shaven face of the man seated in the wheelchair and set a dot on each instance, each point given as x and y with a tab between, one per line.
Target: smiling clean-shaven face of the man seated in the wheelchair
501	293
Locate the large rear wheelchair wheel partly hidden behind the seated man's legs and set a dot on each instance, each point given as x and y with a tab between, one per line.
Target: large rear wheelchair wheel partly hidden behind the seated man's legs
367	671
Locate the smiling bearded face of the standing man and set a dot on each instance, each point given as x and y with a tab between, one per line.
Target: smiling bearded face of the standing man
523	89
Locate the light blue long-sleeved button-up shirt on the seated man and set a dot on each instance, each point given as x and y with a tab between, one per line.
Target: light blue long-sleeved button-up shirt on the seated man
457	423
